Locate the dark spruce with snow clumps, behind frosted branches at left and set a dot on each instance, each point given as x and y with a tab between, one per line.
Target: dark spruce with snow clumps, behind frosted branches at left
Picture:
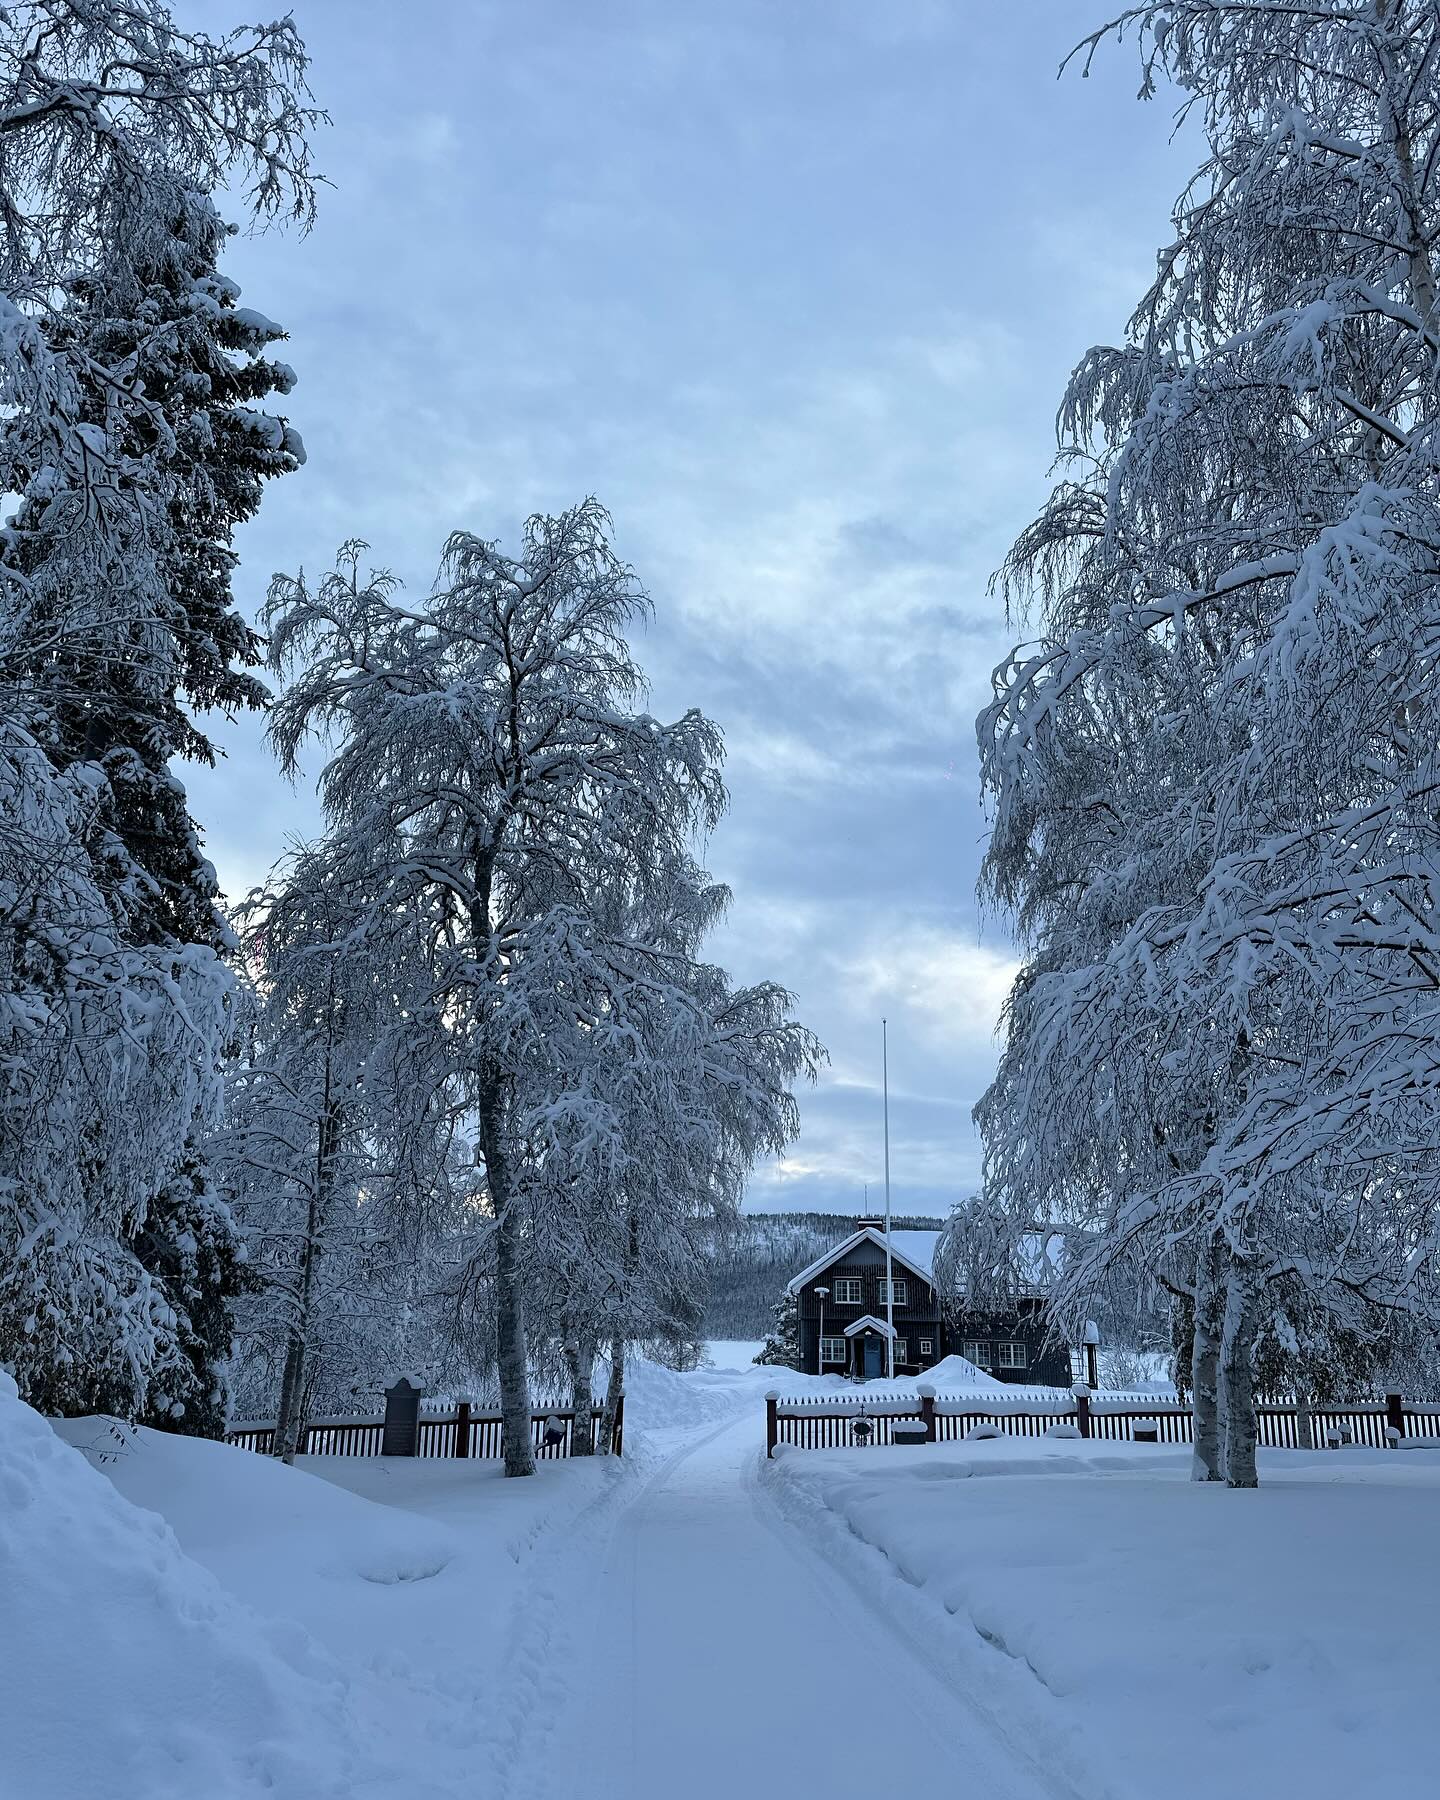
204	451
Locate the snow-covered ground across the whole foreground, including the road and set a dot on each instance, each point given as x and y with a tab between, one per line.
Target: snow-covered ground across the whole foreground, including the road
201	1621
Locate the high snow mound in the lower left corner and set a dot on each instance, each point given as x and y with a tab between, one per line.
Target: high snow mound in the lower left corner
136	1675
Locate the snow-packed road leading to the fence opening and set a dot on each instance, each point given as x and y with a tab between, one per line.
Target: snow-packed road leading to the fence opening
717	1659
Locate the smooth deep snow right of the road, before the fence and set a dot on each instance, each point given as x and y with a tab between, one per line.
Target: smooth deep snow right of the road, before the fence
1284	1635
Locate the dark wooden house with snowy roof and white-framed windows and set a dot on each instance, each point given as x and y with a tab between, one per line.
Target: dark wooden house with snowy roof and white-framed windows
843	1317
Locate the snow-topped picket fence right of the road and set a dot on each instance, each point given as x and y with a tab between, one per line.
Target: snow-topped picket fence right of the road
832	1421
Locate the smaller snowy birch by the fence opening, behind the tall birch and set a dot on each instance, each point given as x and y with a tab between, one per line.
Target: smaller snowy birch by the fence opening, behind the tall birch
703	1090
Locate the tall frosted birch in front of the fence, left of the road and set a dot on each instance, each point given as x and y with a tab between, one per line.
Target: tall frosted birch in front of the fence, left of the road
489	775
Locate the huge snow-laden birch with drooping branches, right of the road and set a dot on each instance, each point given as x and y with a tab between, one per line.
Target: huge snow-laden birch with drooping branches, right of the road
1214	778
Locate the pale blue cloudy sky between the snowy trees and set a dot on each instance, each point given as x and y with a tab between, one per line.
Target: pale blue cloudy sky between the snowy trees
791	285
